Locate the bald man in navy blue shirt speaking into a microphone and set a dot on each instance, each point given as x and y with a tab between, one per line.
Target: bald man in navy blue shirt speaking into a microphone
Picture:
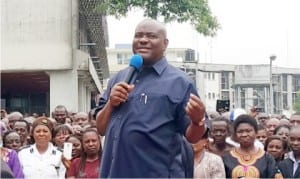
144	121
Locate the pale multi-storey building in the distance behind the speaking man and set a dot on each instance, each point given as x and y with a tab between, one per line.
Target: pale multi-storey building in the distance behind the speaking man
244	86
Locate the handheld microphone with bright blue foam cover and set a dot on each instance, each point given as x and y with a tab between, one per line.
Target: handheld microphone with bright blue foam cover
135	64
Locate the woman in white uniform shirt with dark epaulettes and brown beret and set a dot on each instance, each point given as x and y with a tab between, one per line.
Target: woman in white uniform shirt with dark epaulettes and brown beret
42	159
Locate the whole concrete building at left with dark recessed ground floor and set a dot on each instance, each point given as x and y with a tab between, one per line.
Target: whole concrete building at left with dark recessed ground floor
51	54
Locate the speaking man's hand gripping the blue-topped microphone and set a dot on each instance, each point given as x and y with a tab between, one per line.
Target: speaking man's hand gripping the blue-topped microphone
119	93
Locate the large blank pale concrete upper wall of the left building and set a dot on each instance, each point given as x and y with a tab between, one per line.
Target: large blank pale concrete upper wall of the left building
36	34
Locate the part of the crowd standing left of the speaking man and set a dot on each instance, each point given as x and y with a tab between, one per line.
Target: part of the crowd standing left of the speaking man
32	146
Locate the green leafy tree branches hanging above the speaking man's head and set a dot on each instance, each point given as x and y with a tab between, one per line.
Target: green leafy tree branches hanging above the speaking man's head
196	12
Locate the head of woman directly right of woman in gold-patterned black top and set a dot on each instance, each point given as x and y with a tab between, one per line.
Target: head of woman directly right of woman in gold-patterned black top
277	147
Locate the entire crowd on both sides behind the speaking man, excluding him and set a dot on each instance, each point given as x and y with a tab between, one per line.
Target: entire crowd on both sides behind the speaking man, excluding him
32	146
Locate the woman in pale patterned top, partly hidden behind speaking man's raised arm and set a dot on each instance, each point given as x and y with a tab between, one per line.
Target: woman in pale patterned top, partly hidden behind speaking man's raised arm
206	164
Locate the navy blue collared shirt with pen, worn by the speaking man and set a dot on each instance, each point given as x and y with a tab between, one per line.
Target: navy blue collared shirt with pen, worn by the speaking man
144	135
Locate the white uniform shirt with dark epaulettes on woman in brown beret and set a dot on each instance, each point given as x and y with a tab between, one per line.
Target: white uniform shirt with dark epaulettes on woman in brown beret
43	166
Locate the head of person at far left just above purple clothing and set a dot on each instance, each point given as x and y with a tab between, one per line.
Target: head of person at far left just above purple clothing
12	140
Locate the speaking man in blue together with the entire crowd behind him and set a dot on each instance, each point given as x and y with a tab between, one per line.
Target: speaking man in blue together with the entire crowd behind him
155	127
